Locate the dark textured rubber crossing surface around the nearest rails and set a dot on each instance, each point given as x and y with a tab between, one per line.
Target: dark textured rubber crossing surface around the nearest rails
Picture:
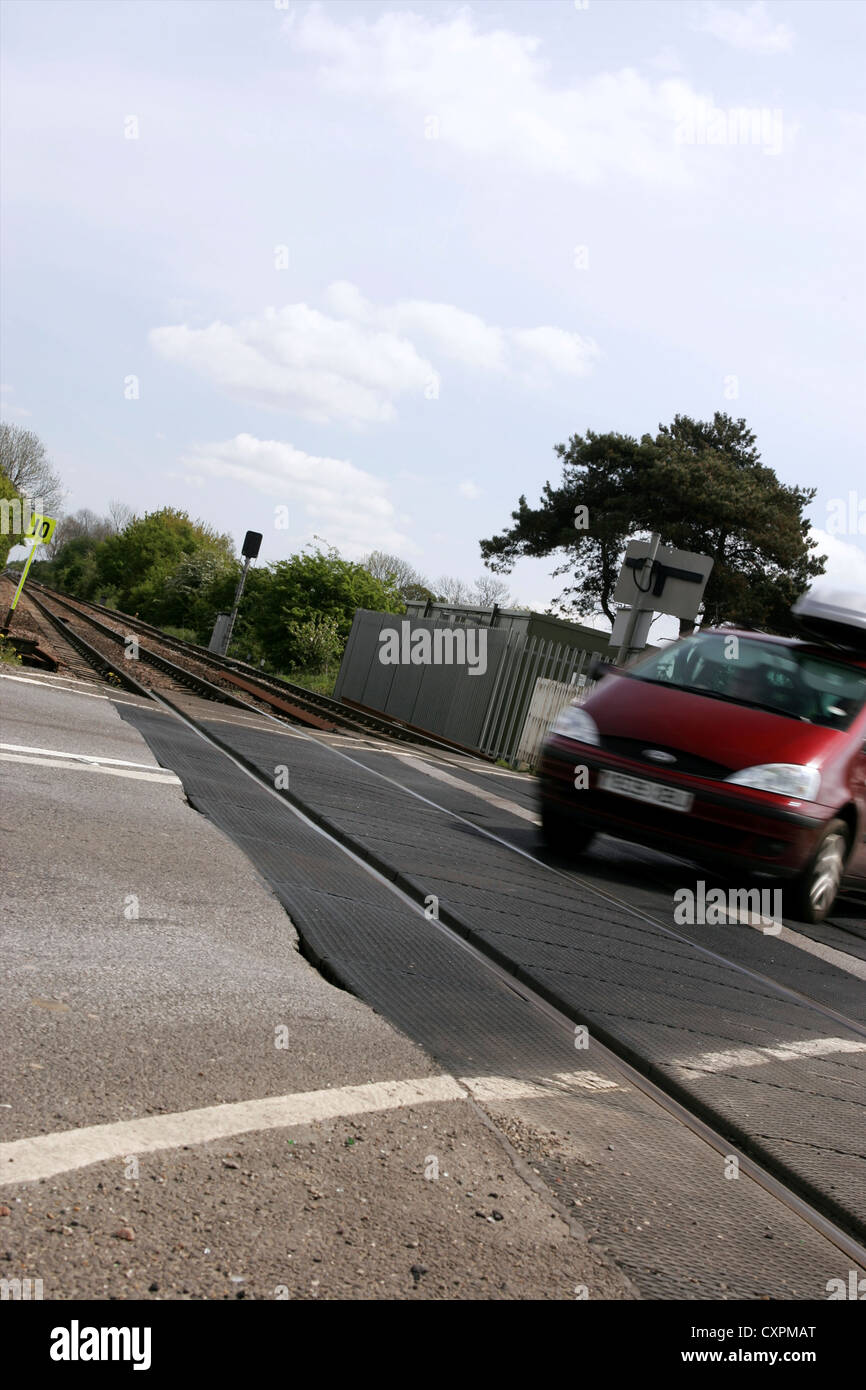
654	995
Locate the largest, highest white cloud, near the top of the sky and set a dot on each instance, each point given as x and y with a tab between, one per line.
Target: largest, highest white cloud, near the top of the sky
490	94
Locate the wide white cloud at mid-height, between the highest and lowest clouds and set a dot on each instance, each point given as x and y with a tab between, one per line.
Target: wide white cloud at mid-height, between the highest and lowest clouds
357	366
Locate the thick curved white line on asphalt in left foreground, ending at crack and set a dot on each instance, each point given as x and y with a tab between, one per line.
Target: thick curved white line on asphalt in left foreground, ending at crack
31	1160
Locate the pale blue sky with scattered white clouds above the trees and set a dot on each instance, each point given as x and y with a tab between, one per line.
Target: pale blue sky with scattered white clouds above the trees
352	270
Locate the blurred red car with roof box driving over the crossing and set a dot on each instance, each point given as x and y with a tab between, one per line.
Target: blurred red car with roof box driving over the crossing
732	749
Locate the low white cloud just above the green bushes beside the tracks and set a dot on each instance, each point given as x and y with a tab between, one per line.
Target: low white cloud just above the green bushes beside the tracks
325	496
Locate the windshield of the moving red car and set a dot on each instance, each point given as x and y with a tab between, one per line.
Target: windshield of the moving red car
785	680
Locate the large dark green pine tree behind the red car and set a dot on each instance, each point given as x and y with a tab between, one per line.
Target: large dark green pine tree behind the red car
701	487
